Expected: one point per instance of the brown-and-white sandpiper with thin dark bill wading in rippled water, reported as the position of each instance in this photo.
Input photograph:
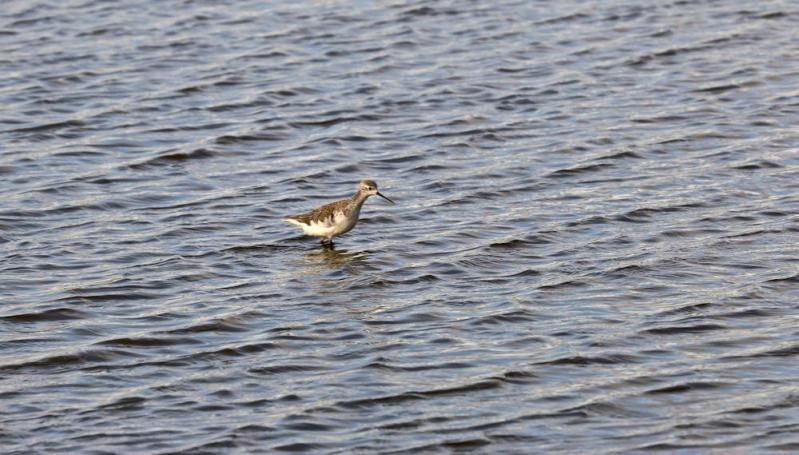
(337, 217)
